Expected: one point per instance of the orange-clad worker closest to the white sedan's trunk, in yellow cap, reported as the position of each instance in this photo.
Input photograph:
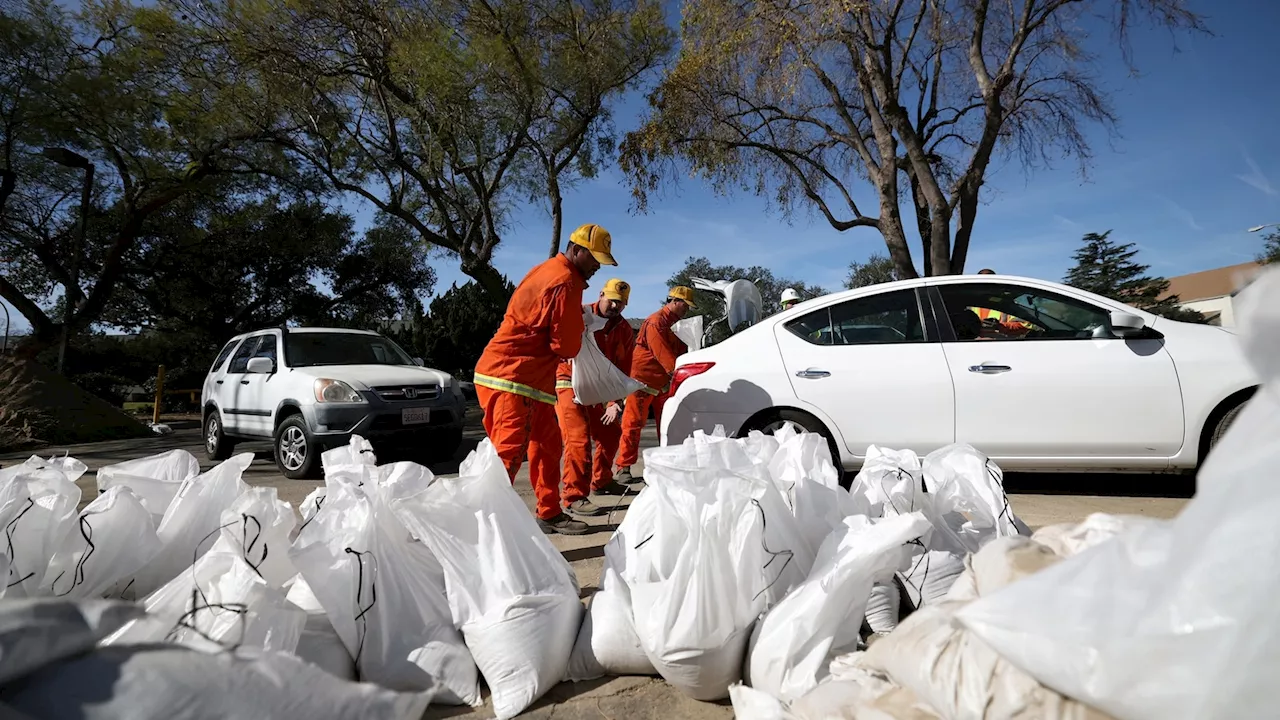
(652, 363)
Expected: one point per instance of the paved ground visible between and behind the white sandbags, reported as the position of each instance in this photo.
(1039, 500)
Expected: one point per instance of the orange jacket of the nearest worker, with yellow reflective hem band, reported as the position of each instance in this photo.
(542, 327)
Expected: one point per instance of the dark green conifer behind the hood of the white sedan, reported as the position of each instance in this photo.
(1107, 268)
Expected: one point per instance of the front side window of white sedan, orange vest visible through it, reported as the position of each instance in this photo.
(1009, 312)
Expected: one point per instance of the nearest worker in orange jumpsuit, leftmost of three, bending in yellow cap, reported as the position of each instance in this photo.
(516, 375)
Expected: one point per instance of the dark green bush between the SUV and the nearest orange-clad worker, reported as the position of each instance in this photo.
(458, 329)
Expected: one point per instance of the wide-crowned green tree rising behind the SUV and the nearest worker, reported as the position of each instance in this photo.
(441, 115)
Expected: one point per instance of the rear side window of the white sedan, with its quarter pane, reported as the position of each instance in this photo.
(877, 320)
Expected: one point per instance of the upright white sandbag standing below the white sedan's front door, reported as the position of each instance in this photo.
(968, 494)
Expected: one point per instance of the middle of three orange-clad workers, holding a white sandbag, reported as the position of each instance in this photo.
(601, 423)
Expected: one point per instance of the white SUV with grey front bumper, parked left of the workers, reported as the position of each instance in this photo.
(312, 389)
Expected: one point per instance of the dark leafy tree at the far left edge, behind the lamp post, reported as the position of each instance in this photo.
(92, 84)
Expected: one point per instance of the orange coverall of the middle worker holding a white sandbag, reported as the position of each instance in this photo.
(582, 425)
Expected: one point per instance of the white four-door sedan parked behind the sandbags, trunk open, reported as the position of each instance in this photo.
(1039, 376)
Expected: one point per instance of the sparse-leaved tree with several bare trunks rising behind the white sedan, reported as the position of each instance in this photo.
(803, 102)
